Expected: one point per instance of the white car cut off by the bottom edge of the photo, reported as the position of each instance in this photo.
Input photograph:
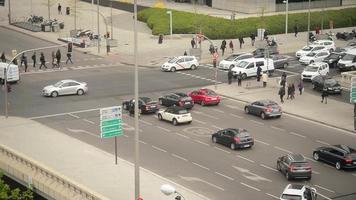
(298, 192)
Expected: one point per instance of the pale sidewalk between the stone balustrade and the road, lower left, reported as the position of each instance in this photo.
(83, 163)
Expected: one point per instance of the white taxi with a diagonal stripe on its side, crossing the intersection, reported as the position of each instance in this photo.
(180, 63)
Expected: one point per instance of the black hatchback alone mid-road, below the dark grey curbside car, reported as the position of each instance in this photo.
(233, 138)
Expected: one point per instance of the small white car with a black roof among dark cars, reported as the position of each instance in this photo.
(175, 114)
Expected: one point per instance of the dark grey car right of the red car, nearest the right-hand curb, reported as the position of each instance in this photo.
(264, 109)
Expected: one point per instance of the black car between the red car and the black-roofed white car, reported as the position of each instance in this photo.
(178, 99)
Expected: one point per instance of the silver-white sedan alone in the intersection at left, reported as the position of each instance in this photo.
(65, 87)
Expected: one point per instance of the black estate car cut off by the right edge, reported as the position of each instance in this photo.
(341, 156)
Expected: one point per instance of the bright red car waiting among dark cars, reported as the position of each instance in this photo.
(205, 97)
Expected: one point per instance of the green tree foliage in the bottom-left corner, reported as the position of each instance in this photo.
(16, 194)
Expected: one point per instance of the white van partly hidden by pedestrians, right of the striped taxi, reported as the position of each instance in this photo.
(248, 67)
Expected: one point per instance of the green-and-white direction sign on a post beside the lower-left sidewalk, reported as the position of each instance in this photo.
(111, 124)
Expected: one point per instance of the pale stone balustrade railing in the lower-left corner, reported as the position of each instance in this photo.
(42, 179)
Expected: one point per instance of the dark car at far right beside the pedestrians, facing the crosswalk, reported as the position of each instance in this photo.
(321, 83)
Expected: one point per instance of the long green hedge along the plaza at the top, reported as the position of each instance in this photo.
(218, 28)
